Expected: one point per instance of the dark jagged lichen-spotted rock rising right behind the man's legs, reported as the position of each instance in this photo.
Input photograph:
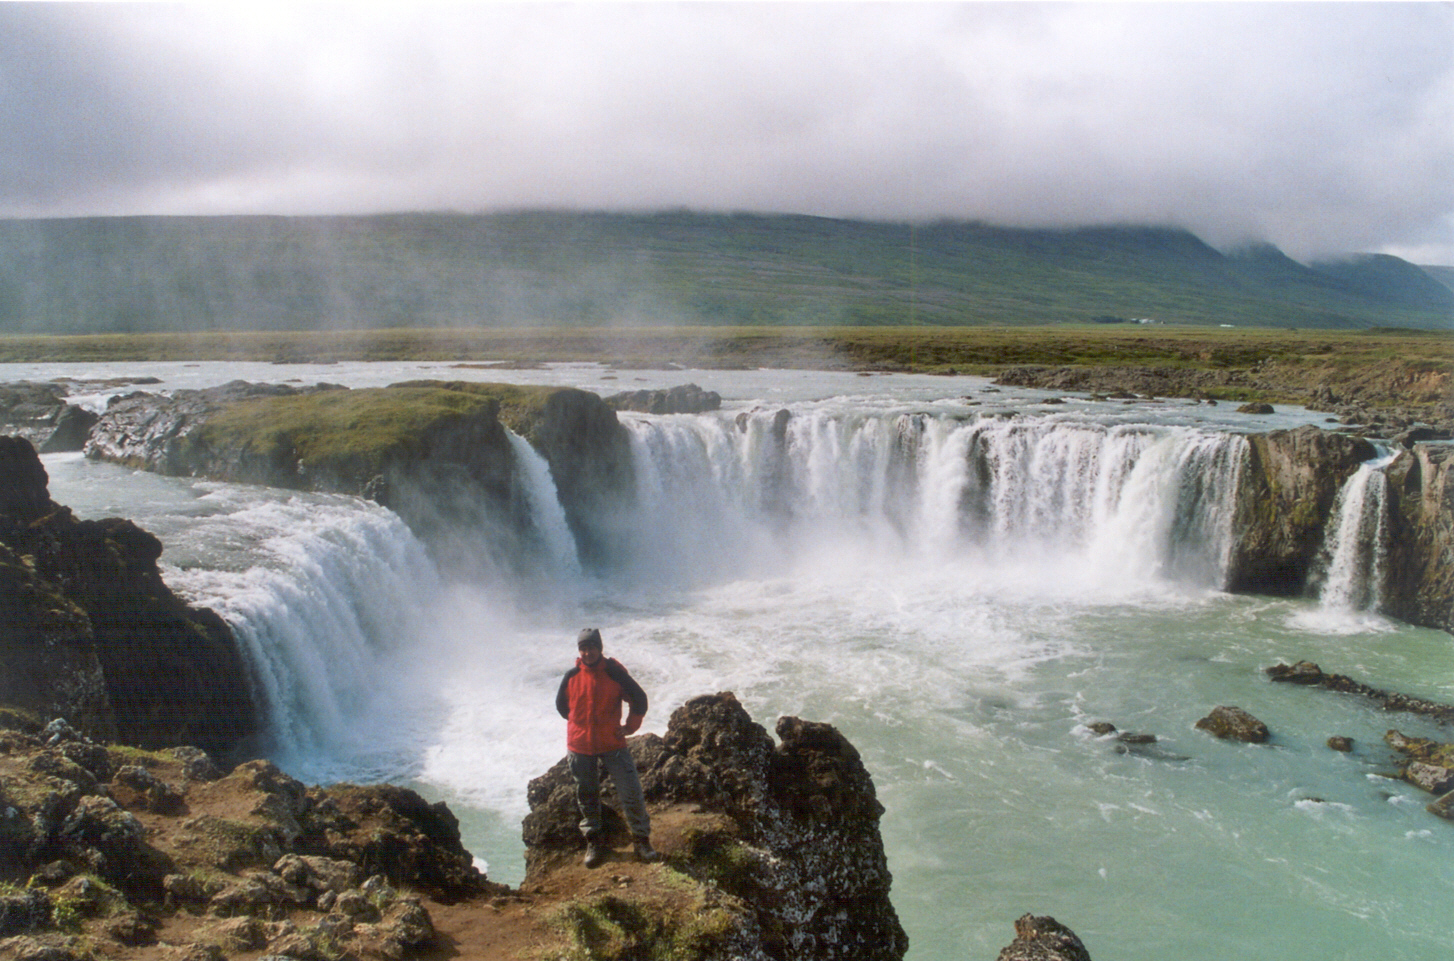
(786, 837)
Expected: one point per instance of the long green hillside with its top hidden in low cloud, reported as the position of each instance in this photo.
(593, 270)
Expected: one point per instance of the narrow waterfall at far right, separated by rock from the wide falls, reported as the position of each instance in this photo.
(1351, 562)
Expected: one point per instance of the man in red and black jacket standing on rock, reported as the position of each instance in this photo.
(590, 700)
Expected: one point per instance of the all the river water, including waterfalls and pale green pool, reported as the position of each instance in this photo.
(959, 578)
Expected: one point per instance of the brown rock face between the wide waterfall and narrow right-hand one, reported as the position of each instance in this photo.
(1285, 501)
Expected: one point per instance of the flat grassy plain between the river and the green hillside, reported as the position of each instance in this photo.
(920, 350)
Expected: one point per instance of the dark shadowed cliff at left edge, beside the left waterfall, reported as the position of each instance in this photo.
(91, 632)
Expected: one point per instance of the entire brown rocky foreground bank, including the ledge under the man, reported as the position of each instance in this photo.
(771, 851)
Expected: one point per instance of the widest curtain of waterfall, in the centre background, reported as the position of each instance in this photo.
(722, 495)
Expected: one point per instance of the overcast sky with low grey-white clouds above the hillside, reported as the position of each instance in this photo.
(1322, 129)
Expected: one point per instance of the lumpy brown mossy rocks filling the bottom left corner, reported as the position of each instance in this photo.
(159, 854)
